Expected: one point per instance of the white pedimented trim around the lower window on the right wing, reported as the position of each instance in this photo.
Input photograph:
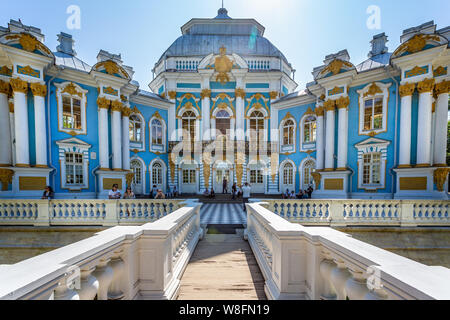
(372, 145)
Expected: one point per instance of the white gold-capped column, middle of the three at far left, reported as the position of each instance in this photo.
(20, 89)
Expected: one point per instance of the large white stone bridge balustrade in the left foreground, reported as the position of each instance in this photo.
(121, 263)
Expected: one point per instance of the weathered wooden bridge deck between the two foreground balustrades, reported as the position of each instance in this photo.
(223, 267)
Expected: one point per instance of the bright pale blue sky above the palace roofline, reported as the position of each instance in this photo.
(304, 30)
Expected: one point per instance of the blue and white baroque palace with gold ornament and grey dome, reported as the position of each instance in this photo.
(377, 129)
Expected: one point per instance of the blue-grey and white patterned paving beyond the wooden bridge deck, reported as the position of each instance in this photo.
(223, 214)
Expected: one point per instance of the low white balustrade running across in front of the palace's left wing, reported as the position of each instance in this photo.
(84, 212)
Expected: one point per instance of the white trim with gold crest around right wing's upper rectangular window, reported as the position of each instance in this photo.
(385, 94)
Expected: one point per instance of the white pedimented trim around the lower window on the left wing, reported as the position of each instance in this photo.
(73, 145)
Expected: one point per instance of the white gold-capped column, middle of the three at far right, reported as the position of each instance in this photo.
(425, 89)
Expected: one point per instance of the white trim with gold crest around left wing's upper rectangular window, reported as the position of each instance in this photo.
(59, 99)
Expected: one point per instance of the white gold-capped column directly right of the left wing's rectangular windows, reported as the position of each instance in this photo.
(103, 105)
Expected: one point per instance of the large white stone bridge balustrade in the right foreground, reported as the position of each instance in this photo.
(319, 263)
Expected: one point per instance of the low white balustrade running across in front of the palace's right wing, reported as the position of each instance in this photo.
(407, 213)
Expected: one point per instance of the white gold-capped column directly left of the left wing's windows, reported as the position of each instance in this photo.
(39, 92)
